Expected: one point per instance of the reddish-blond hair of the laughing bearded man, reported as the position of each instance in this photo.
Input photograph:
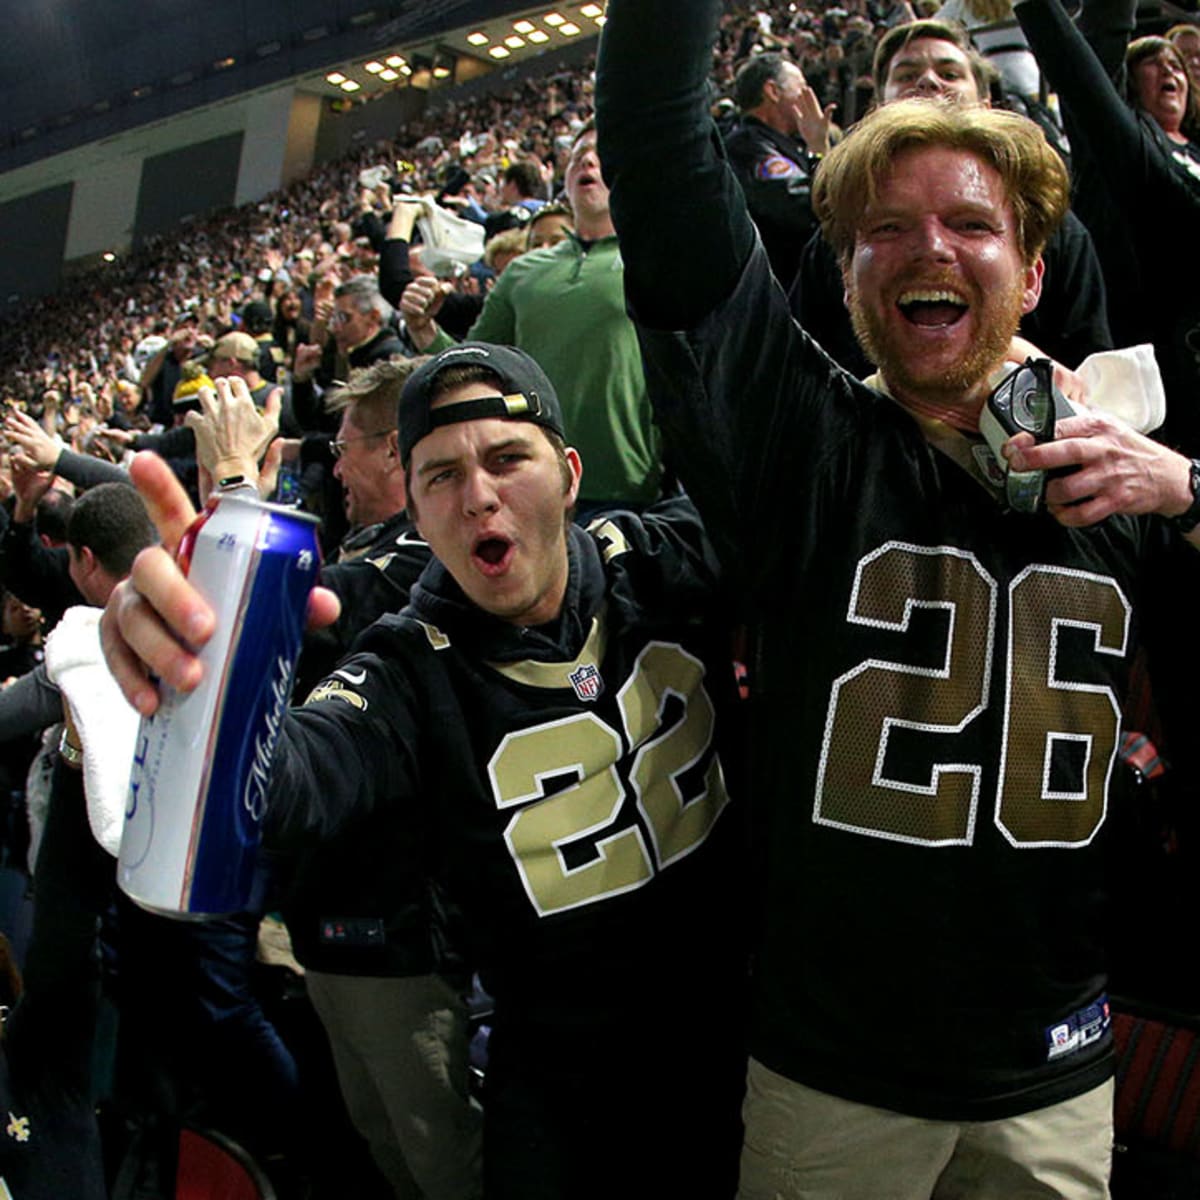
(1036, 182)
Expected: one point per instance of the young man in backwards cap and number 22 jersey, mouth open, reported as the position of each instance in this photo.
(561, 764)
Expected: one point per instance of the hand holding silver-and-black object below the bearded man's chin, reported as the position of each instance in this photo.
(1119, 471)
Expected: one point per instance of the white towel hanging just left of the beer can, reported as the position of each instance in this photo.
(107, 723)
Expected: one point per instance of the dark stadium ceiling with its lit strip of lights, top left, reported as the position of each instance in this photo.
(74, 73)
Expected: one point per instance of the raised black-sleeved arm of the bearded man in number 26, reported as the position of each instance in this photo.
(680, 214)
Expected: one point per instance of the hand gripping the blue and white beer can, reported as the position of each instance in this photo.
(155, 621)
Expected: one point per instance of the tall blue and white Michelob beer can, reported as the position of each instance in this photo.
(199, 783)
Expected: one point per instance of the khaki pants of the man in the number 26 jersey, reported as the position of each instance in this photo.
(808, 1145)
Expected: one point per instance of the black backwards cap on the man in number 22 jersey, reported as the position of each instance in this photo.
(525, 395)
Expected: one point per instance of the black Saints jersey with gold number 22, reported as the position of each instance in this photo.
(567, 782)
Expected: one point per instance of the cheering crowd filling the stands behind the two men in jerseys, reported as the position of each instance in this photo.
(343, 272)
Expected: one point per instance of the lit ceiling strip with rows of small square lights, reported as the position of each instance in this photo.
(460, 55)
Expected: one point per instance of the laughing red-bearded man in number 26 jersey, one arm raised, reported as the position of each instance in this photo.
(939, 677)
